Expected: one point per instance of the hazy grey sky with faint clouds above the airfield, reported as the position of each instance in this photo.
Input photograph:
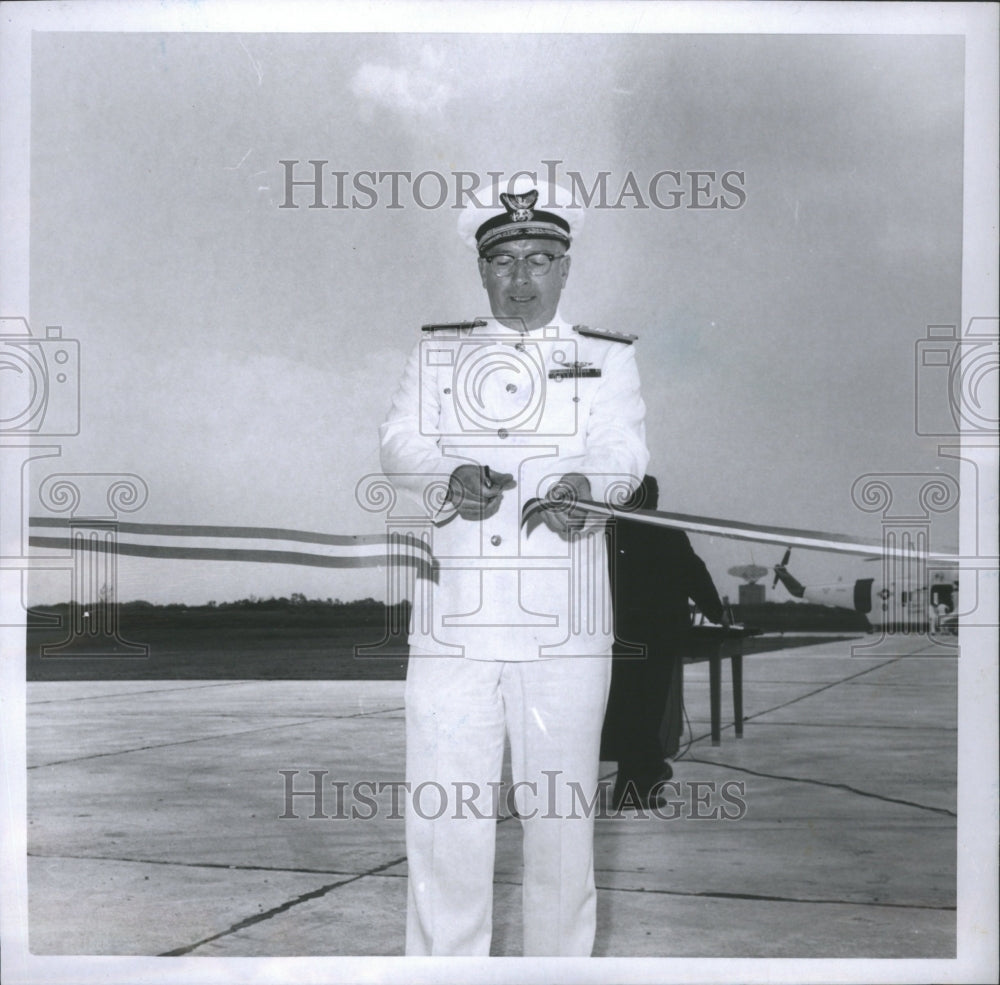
(239, 356)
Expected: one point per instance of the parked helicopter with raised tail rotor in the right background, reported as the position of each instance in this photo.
(899, 605)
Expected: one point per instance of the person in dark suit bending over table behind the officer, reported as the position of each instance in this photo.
(654, 572)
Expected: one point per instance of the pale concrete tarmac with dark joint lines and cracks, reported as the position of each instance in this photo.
(155, 820)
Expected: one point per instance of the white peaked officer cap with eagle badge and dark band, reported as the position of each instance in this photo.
(525, 209)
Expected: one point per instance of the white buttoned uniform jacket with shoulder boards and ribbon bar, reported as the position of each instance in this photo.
(536, 405)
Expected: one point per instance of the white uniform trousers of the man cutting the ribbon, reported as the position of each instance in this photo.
(457, 713)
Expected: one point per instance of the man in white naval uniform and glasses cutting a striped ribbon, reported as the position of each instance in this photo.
(497, 426)
